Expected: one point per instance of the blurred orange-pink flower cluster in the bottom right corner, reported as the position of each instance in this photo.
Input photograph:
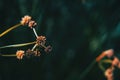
(114, 63)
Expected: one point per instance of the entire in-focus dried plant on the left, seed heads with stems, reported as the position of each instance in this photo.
(39, 43)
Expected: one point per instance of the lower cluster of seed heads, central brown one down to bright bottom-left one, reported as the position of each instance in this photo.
(35, 52)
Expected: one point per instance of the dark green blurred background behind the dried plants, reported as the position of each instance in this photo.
(78, 30)
